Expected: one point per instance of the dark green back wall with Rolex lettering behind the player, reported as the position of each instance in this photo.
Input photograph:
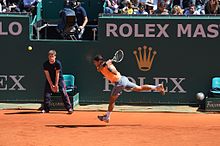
(184, 64)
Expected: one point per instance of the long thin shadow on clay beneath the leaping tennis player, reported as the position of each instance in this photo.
(90, 126)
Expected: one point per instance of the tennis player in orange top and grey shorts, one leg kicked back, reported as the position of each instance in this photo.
(121, 82)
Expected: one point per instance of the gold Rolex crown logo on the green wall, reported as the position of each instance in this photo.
(144, 61)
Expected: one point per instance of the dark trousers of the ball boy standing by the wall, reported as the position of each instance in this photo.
(62, 92)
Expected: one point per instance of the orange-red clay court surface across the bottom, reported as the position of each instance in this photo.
(31, 128)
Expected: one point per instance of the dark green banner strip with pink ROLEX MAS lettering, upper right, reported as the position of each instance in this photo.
(172, 27)
